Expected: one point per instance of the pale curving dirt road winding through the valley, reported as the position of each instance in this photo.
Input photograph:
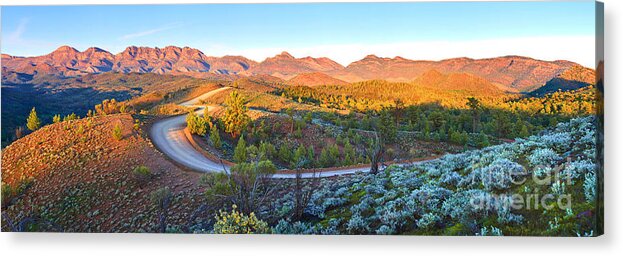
(168, 136)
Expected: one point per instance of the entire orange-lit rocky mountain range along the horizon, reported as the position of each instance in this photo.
(509, 73)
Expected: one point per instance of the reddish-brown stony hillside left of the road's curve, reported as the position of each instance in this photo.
(77, 176)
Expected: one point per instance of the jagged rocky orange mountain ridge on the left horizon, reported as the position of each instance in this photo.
(67, 61)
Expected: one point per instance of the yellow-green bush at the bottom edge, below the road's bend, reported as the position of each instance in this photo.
(235, 222)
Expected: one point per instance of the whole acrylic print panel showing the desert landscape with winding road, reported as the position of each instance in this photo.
(429, 118)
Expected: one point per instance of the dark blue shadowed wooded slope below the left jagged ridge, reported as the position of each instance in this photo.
(52, 95)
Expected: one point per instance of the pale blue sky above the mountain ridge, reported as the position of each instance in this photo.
(344, 32)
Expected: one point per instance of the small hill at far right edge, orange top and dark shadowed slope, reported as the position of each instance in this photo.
(573, 78)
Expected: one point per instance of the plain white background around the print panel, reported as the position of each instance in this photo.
(150, 244)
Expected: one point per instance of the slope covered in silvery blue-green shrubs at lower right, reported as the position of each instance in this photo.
(470, 193)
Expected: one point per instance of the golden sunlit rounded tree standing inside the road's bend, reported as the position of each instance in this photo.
(235, 118)
